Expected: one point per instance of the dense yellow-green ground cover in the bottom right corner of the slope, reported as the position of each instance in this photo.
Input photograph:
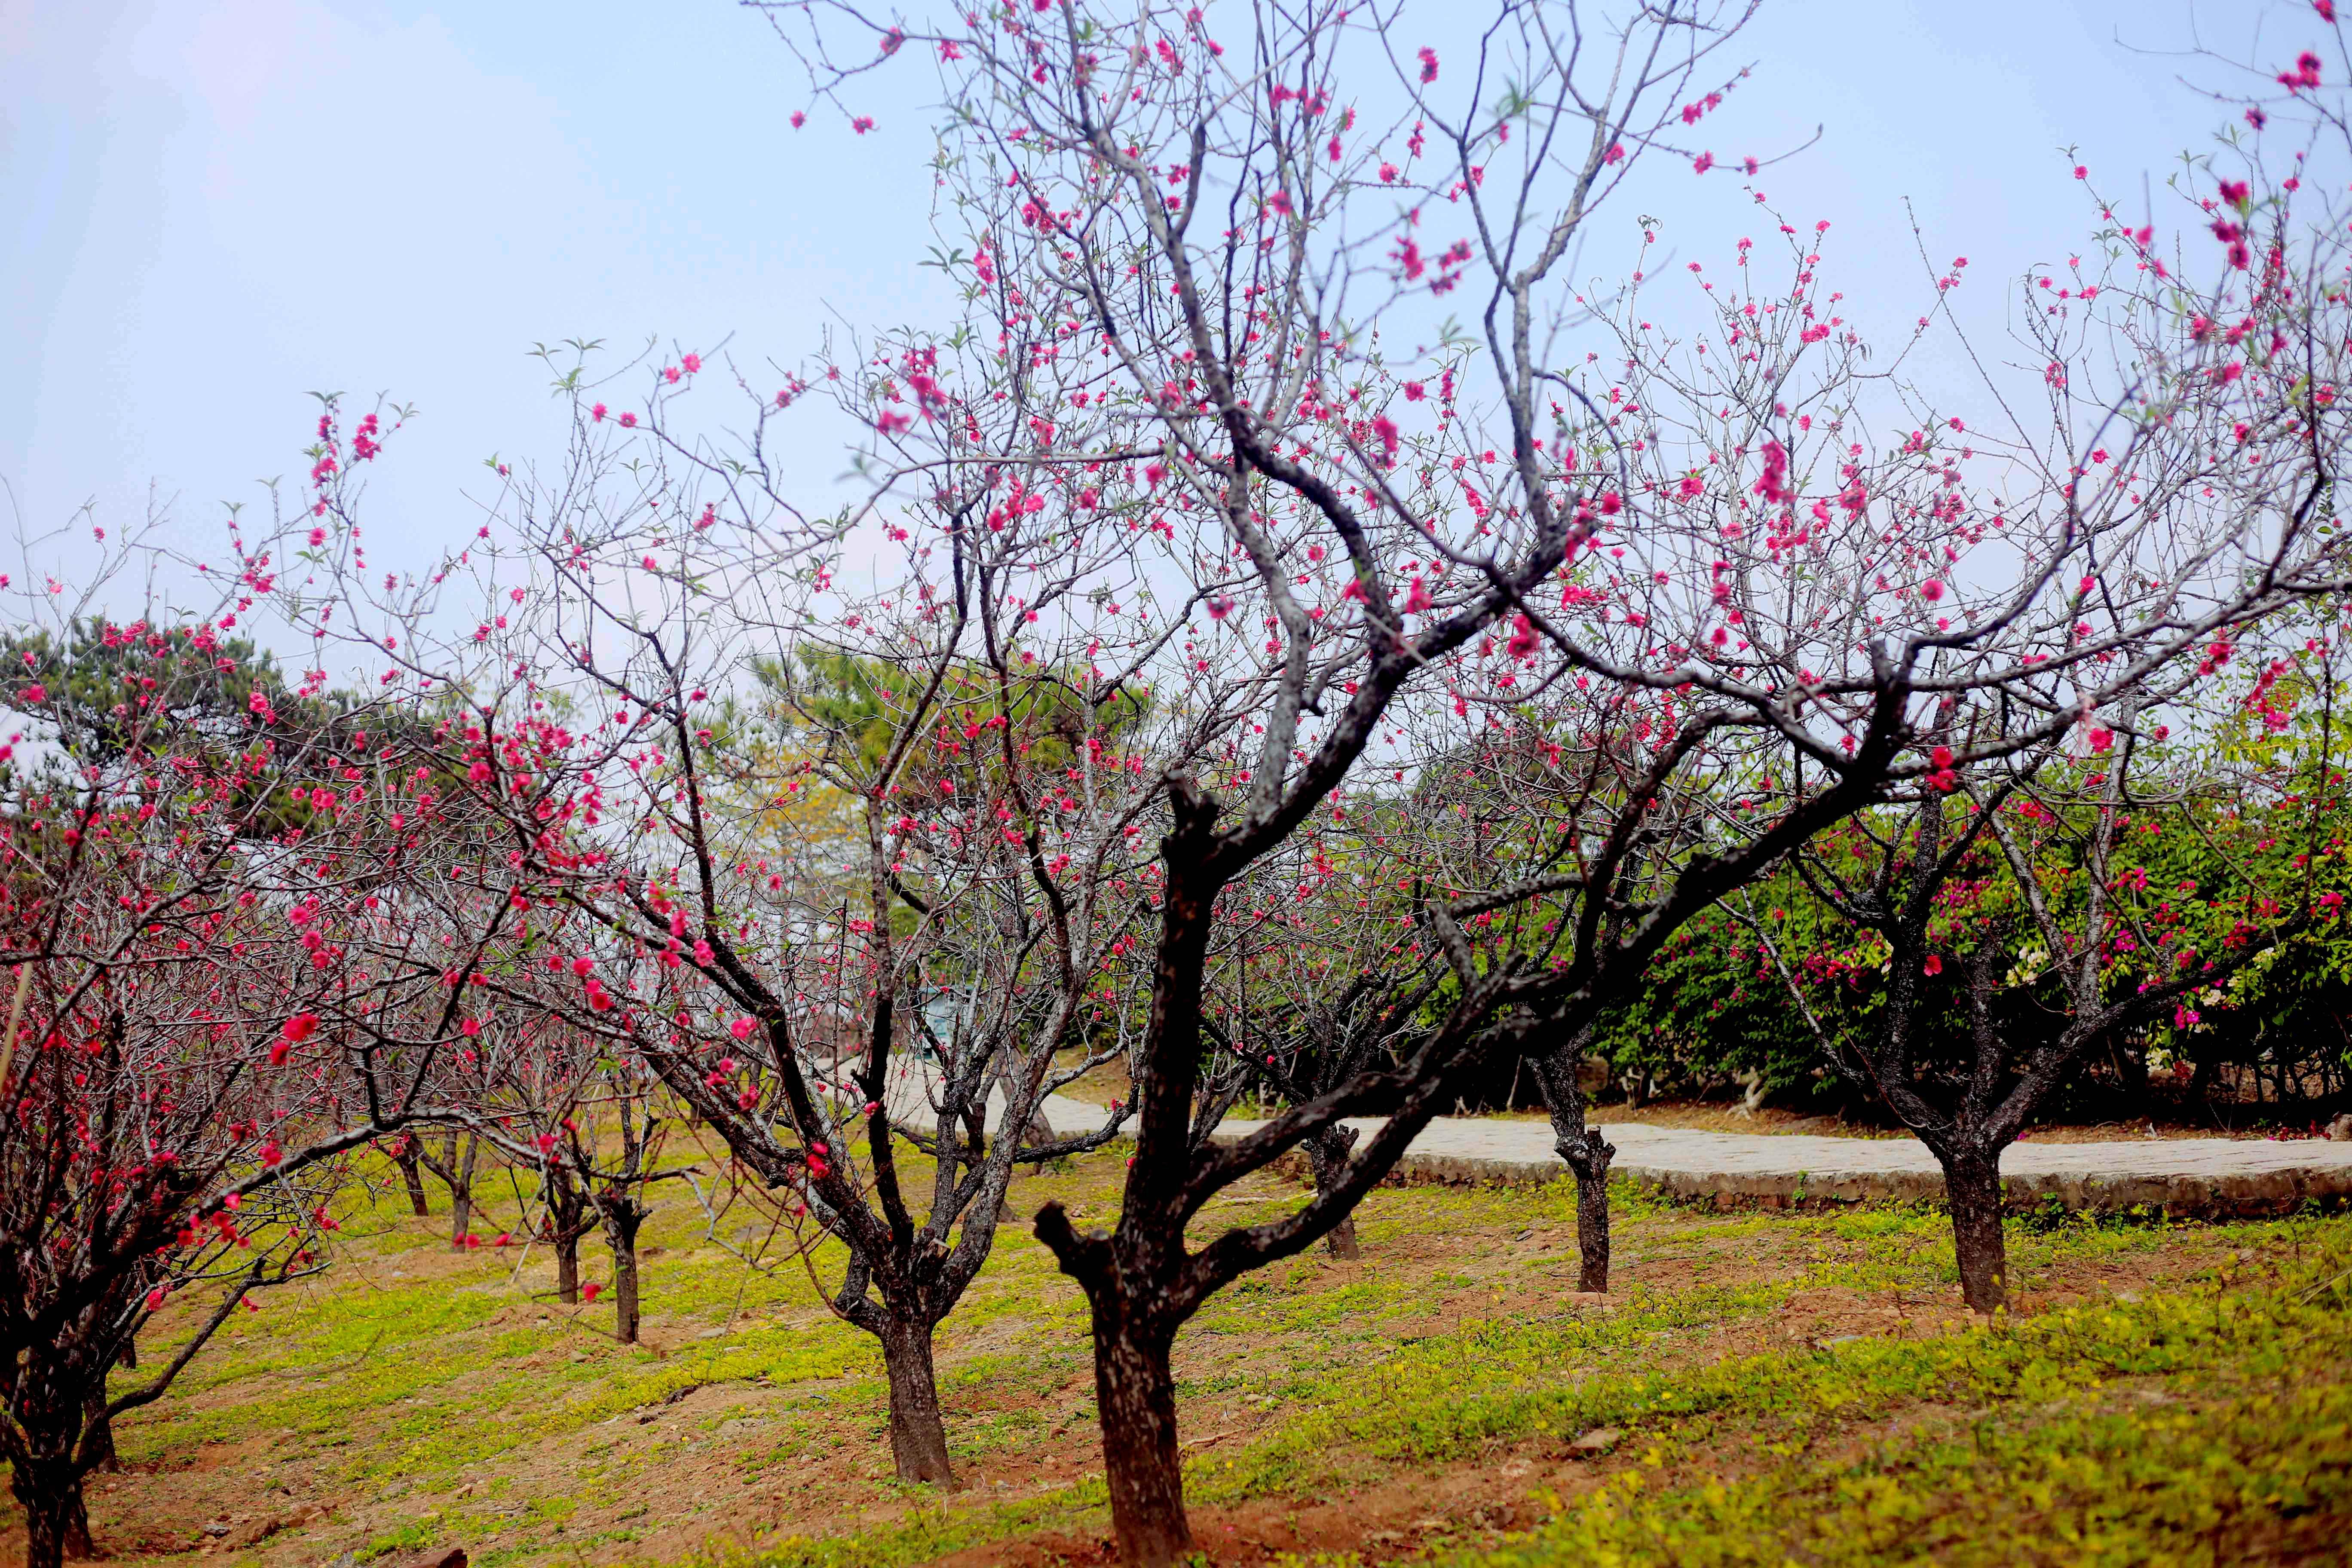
(2207, 1428)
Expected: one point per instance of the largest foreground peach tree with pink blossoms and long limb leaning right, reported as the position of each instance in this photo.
(1735, 582)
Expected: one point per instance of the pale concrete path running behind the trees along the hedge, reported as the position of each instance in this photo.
(2186, 1177)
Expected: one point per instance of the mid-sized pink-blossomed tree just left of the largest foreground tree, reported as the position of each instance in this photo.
(824, 824)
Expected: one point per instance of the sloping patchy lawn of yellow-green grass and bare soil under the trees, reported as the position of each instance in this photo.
(1758, 1388)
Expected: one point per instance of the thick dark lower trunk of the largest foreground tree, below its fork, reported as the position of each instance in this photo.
(1137, 1398)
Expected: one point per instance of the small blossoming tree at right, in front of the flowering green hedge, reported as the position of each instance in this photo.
(2005, 923)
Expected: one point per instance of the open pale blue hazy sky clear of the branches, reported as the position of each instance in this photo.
(220, 206)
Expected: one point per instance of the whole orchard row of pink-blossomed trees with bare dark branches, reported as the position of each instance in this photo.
(1236, 669)
